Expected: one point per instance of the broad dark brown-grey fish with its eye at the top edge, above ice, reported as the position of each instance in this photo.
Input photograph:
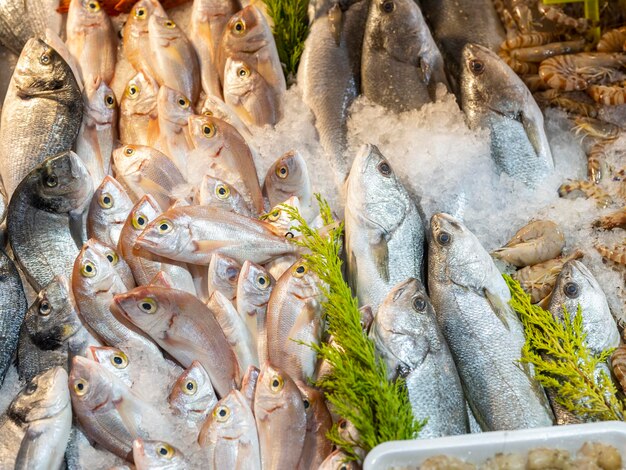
(401, 64)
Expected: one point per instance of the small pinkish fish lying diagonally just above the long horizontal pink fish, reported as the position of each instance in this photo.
(145, 170)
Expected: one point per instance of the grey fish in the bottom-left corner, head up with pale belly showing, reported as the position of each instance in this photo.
(37, 426)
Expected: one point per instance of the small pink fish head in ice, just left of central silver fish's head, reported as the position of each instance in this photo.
(287, 176)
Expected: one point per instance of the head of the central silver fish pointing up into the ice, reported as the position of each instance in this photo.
(375, 195)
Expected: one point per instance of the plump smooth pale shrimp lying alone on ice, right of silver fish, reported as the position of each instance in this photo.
(534, 243)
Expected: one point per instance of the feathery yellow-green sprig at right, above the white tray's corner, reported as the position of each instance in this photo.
(563, 362)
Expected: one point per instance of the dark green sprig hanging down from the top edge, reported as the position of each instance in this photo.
(290, 29)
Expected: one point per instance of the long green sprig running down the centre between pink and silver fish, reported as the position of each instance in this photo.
(357, 387)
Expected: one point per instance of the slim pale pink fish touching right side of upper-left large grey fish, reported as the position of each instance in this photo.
(98, 131)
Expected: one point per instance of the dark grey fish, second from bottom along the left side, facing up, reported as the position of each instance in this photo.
(51, 332)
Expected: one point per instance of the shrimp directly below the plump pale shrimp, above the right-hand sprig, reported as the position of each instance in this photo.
(538, 280)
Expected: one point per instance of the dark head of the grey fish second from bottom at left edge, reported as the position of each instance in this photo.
(52, 318)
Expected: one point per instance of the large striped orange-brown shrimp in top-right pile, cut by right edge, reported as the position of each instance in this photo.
(576, 71)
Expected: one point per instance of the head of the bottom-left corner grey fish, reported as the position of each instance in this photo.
(45, 396)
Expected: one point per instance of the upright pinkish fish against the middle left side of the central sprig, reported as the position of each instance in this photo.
(294, 315)
